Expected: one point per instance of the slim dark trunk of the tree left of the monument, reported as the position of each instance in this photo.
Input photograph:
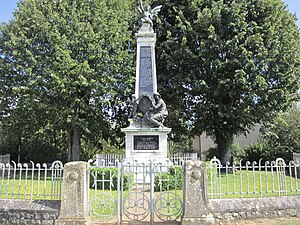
(74, 145)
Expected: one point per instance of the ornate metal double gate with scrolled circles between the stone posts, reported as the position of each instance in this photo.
(132, 191)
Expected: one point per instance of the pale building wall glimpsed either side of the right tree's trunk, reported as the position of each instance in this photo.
(204, 142)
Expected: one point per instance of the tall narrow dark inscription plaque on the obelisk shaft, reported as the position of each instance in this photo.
(146, 77)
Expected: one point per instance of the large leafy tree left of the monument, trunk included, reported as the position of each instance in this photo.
(65, 66)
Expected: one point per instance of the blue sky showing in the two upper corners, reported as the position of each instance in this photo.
(8, 6)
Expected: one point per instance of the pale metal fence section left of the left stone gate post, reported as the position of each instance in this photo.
(31, 181)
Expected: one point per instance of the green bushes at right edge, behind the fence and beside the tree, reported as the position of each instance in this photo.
(280, 138)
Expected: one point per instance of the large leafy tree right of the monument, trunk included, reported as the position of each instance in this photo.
(227, 64)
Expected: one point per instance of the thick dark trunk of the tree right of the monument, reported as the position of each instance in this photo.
(224, 148)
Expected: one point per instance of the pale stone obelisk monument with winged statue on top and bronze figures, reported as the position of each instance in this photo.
(146, 137)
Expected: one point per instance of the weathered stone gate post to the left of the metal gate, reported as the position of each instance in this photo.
(74, 195)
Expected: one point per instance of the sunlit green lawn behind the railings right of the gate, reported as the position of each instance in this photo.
(251, 184)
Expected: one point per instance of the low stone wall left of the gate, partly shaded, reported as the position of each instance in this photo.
(28, 212)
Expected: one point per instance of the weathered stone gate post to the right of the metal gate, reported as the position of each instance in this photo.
(195, 196)
